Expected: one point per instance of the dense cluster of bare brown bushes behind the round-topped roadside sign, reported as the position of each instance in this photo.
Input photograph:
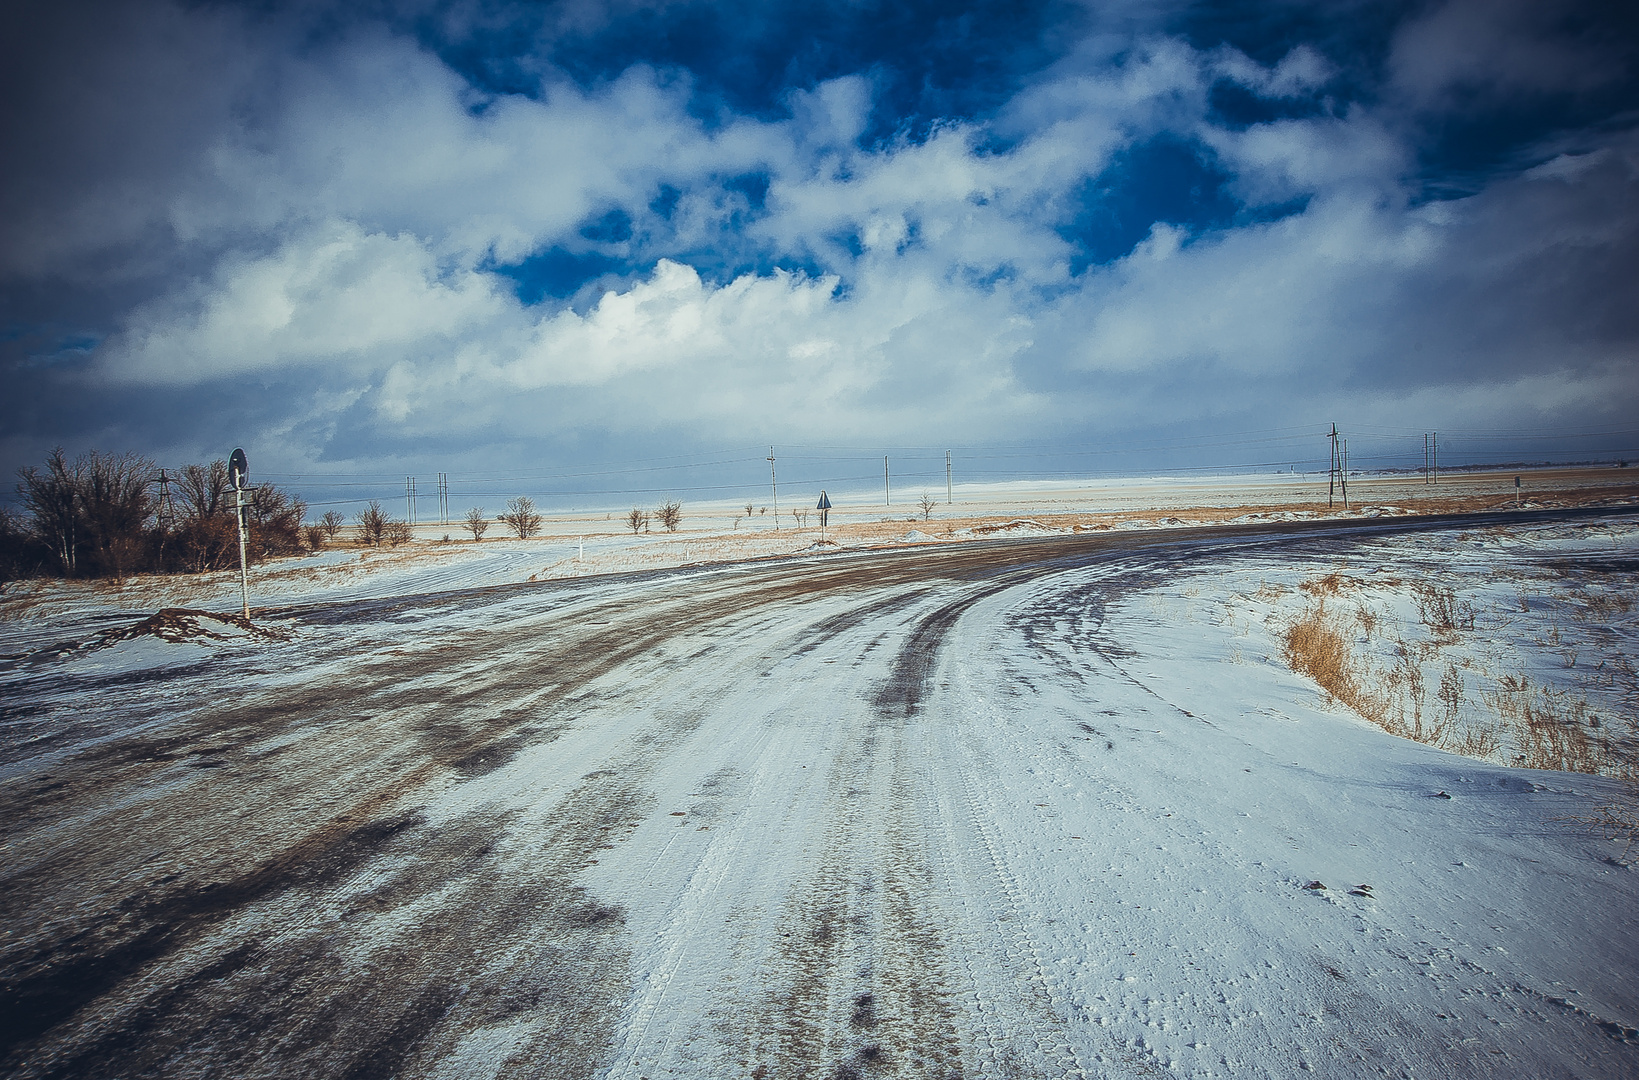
(102, 515)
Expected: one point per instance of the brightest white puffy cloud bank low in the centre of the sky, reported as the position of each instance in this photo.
(773, 353)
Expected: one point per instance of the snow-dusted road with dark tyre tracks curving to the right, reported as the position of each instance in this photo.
(781, 820)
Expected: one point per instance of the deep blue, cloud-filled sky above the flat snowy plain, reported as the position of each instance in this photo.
(619, 250)
